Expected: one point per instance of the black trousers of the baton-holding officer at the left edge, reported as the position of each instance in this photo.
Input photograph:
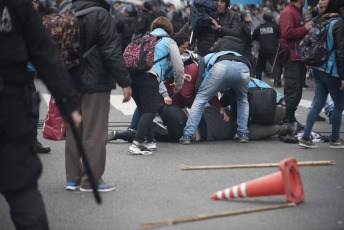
(19, 165)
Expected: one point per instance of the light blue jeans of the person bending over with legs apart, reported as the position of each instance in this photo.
(224, 74)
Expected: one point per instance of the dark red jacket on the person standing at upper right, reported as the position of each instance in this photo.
(292, 30)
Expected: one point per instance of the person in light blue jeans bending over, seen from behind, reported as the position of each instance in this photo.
(219, 71)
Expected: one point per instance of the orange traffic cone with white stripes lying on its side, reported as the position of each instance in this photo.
(287, 181)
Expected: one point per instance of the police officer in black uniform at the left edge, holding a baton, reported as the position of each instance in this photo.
(23, 38)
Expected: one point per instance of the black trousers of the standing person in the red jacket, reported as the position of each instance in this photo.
(294, 78)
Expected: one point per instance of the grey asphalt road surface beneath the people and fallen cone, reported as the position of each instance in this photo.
(153, 188)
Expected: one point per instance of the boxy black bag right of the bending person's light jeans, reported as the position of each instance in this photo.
(262, 103)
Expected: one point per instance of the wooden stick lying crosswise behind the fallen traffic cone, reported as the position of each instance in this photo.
(301, 163)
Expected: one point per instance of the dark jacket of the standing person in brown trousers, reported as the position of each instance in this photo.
(104, 66)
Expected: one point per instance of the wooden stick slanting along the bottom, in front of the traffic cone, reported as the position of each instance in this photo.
(215, 215)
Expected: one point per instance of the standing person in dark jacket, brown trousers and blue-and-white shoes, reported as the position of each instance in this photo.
(94, 79)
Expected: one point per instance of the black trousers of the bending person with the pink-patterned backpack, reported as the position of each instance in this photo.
(145, 89)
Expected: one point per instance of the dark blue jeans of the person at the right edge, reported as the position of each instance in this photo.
(325, 84)
